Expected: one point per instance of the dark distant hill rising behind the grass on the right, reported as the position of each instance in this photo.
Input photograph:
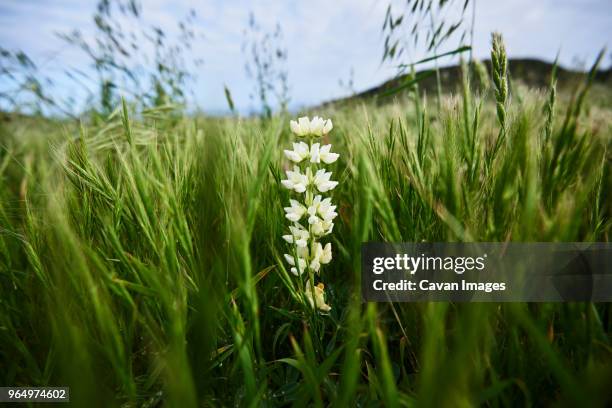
(532, 72)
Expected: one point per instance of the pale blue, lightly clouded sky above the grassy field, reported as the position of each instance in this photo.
(325, 40)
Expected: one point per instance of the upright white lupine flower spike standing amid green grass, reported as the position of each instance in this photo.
(311, 215)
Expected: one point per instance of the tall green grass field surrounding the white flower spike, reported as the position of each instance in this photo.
(141, 256)
